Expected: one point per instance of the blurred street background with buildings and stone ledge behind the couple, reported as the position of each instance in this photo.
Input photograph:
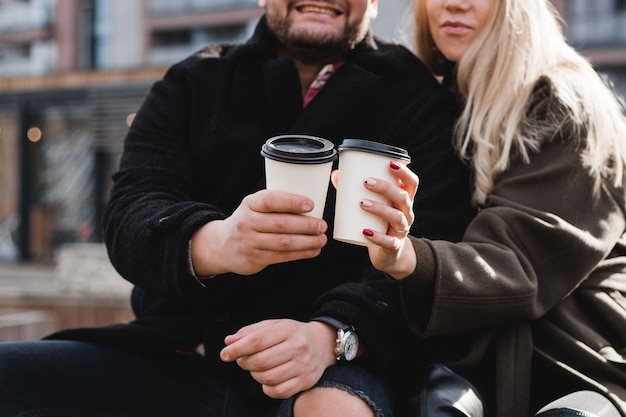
(72, 75)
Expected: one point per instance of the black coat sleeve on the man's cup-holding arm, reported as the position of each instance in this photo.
(151, 213)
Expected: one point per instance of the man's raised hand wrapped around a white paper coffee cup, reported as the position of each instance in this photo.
(267, 228)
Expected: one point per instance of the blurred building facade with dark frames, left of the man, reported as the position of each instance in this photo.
(72, 74)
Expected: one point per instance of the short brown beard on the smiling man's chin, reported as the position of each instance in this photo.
(313, 48)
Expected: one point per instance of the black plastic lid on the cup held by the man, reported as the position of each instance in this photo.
(299, 149)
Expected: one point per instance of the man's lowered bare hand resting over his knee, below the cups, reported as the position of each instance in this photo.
(285, 356)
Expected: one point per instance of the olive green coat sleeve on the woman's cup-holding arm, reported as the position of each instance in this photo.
(541, 233)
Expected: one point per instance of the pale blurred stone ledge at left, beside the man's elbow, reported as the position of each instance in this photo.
(81, 289)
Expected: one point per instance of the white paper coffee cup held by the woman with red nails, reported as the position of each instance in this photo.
(360, 159)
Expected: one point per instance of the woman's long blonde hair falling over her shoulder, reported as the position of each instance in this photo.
(521, 44)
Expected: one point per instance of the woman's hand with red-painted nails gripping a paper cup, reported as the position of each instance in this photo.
(393, 253)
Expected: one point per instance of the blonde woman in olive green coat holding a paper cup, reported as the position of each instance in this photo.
(538, 285)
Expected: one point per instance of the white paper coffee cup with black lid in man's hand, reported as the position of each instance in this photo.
(300, 164)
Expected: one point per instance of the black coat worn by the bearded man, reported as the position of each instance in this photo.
(193, 153)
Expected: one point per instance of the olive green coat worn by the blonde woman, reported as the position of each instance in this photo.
(538, 283)
